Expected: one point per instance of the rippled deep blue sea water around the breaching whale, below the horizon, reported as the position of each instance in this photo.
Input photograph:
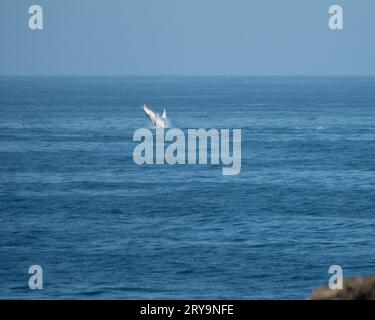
(73, 201)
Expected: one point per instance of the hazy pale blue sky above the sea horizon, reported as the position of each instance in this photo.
(137, 37)
